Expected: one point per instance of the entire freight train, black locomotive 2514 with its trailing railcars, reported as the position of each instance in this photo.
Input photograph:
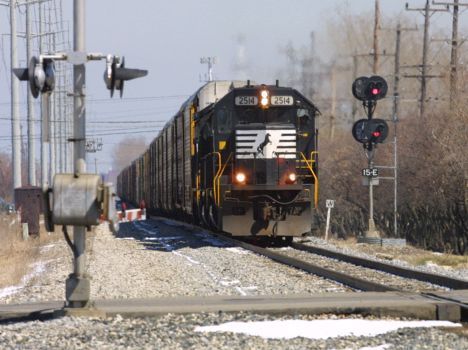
(237, 158)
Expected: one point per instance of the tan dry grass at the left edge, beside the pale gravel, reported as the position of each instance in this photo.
(17, 255)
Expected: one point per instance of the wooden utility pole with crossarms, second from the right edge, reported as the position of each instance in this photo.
(427, 12)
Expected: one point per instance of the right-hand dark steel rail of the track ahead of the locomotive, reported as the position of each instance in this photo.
(440, 280)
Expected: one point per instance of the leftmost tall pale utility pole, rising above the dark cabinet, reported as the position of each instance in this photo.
(15, 117)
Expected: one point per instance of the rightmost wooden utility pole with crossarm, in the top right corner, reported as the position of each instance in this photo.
(454, 53)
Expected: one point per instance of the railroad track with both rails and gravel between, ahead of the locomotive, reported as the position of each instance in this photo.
(355, 272)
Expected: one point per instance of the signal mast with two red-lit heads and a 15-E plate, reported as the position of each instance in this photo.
(370, 132)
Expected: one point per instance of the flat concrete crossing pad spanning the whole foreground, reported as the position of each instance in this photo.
(396, 304)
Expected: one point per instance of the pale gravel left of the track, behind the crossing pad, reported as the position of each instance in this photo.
(160, 258)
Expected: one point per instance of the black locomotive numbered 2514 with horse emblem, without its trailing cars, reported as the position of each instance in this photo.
(256, 162)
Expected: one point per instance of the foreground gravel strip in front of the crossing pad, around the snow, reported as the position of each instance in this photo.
(178, 332)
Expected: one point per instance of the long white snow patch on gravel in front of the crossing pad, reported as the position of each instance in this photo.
(321, 329)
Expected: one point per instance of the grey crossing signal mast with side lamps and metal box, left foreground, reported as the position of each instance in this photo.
(79, 199)
